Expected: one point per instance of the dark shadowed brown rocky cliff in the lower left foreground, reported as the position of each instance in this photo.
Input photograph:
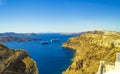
(16, 62)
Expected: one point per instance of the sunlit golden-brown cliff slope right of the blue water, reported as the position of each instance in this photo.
(92, 47)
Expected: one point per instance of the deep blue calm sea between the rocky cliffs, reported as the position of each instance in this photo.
(51, 58)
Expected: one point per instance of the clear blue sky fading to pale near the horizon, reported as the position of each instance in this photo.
(59, 15)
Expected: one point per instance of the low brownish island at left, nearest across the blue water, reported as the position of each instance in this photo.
(17, 39)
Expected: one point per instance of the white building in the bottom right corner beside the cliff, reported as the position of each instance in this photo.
(110, 68)
